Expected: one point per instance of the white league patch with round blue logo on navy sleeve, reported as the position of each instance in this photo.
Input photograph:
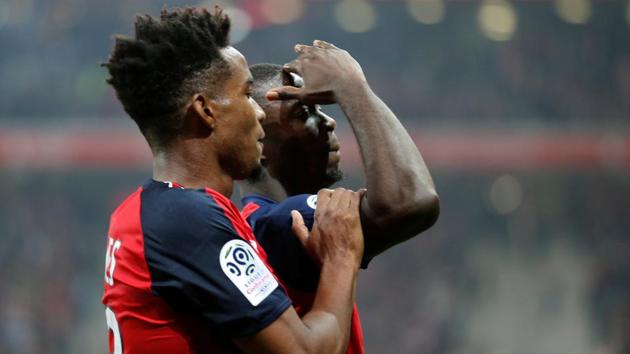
(247, 271)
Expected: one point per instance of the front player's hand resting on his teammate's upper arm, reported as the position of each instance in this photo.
(336, 234)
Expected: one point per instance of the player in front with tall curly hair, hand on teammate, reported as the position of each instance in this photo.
(184, 273)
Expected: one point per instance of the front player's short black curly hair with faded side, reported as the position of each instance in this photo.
(171, 58)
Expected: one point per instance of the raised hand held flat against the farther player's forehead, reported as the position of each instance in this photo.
(326, 71)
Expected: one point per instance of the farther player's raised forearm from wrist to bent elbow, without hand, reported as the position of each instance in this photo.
(401, 193)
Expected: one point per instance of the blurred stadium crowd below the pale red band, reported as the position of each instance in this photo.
(557, 265)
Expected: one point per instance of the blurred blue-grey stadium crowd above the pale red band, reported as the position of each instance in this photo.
(549, 72)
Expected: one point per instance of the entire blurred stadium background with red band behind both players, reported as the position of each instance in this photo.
(520, 108)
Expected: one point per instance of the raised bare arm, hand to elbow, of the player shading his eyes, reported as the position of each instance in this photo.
(401, 200)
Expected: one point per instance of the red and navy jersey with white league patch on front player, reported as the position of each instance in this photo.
(184, 274)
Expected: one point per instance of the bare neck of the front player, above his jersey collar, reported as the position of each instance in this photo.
(190, 167)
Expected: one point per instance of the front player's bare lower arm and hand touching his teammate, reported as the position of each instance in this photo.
(337, 243)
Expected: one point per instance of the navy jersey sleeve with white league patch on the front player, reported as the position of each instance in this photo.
(200, 265)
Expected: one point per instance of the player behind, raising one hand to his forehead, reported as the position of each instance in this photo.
(301, 156)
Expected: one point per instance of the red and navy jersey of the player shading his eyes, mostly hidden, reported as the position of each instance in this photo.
(271, 222)
